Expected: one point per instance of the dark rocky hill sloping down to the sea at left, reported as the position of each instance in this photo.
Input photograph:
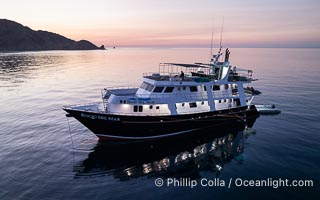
(16, 37)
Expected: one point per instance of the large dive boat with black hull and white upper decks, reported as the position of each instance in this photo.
(179, 99)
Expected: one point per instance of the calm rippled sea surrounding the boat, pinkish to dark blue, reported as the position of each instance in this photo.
(40, 161)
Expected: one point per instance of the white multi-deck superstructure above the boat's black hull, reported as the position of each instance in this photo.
(179, 89)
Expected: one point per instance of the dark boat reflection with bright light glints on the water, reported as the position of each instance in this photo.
(179, 157)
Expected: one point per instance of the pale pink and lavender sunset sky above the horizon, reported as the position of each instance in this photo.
(247, 23)
